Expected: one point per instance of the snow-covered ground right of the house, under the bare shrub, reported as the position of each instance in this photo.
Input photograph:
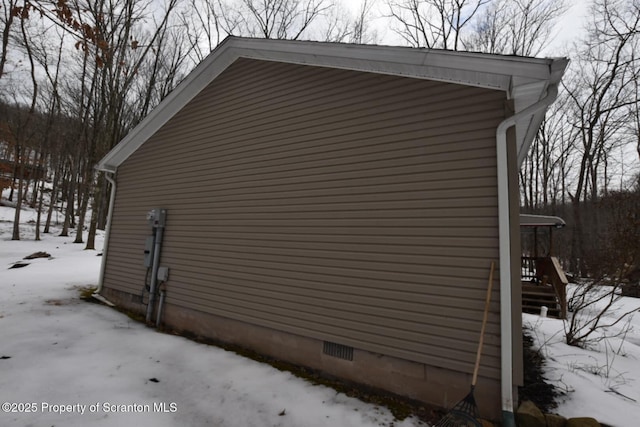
(602, 381)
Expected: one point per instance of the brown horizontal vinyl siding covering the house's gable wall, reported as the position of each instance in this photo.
(343, 206)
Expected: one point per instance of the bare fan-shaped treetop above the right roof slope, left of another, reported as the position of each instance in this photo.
(433, 23)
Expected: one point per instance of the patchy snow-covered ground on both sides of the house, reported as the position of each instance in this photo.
(66, 362)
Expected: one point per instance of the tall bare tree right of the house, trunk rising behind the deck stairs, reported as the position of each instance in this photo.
(601, 89)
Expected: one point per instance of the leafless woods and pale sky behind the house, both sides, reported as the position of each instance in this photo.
(76, 76)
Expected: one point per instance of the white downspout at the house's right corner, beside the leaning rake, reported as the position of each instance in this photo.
(508, 418)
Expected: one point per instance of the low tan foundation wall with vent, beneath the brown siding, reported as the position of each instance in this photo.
(433, 385)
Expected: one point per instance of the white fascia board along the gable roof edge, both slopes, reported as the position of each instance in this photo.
(495, 72)
